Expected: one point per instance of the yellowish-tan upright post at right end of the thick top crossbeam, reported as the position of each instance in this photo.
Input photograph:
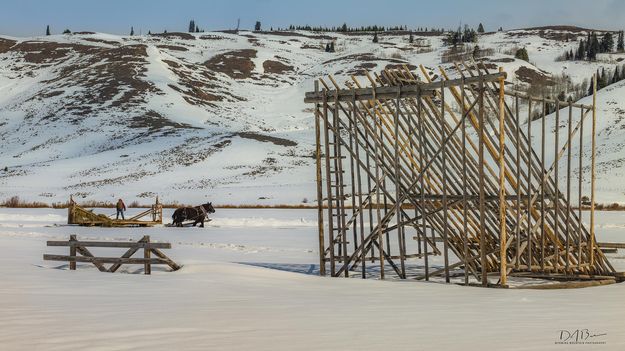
(502, 190)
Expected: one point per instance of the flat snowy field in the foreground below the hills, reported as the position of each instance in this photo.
(249, 283)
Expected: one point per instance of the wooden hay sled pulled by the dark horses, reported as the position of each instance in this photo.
(81, 216)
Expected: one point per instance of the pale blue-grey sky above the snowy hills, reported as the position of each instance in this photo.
(30, 17)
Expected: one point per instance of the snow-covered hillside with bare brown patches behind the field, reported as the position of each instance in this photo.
(219, 116)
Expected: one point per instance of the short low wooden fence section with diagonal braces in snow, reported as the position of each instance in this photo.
(78, 252)
